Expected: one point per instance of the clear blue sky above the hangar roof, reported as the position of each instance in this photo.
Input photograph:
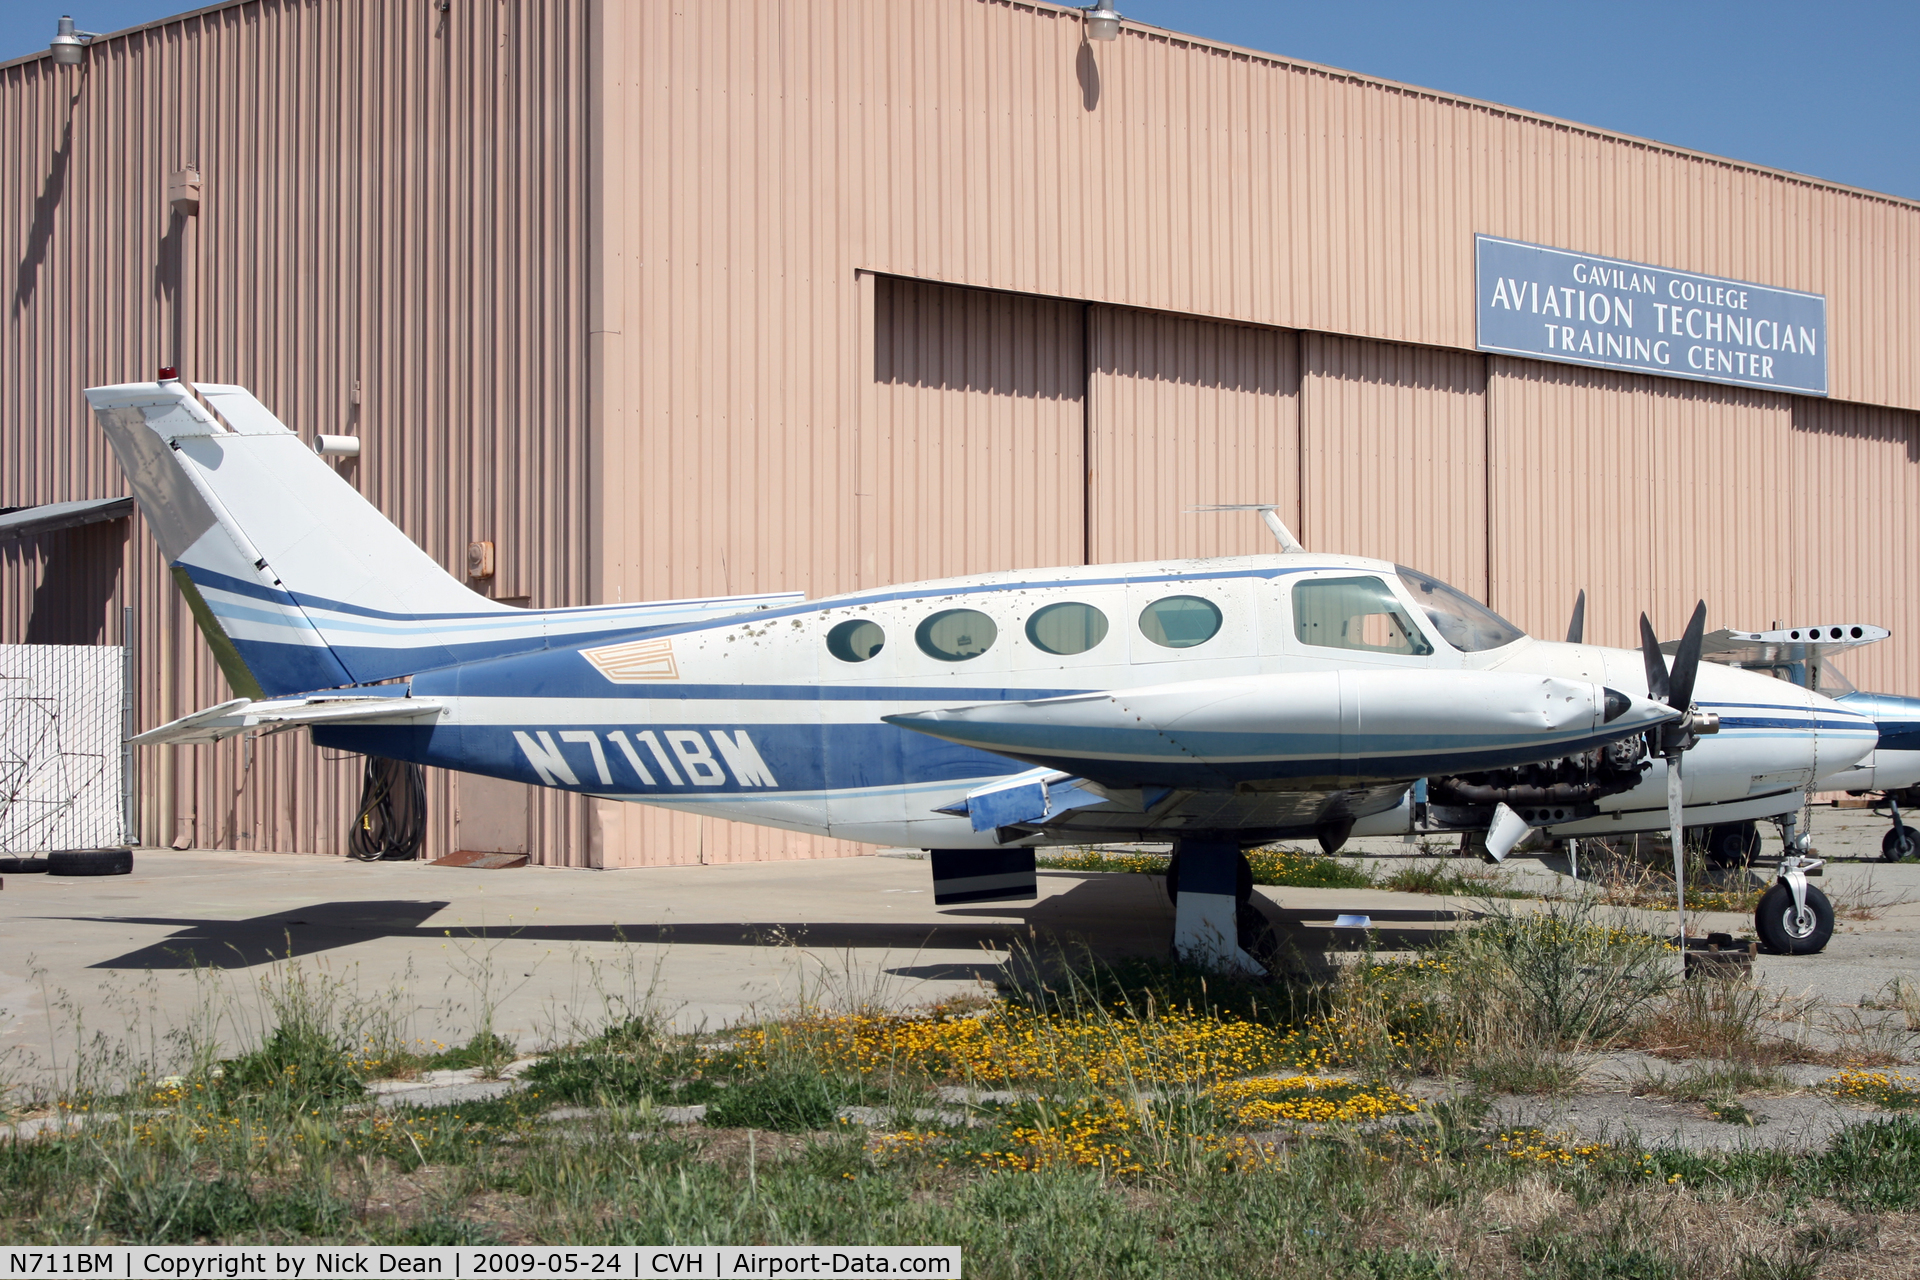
(1829, 89)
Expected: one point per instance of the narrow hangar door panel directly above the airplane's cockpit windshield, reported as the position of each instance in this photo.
(1395, 456)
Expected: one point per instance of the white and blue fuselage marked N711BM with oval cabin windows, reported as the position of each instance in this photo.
(775, 717)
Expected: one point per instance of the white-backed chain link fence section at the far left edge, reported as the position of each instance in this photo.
(66, 774)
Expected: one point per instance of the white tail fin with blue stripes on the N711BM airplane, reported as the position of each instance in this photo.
(297, 581)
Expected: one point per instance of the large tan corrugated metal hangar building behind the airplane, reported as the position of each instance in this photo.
(658, 300)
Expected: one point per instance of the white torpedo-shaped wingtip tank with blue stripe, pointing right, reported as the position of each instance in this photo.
(1299, 730)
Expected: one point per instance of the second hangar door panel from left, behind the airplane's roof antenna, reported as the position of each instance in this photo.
(1188, 414)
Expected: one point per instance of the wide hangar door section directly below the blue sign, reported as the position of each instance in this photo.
(1656, 492)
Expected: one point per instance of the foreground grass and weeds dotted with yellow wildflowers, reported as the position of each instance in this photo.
(1141, 1120)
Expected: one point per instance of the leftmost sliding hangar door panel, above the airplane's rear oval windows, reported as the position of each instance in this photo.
(974, 448)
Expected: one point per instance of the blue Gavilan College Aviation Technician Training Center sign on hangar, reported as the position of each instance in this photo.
(1585, 310)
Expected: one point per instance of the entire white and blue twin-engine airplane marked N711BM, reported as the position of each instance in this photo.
(1214, 705)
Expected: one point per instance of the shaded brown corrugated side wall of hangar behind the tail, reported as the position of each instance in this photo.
(391, 245)
